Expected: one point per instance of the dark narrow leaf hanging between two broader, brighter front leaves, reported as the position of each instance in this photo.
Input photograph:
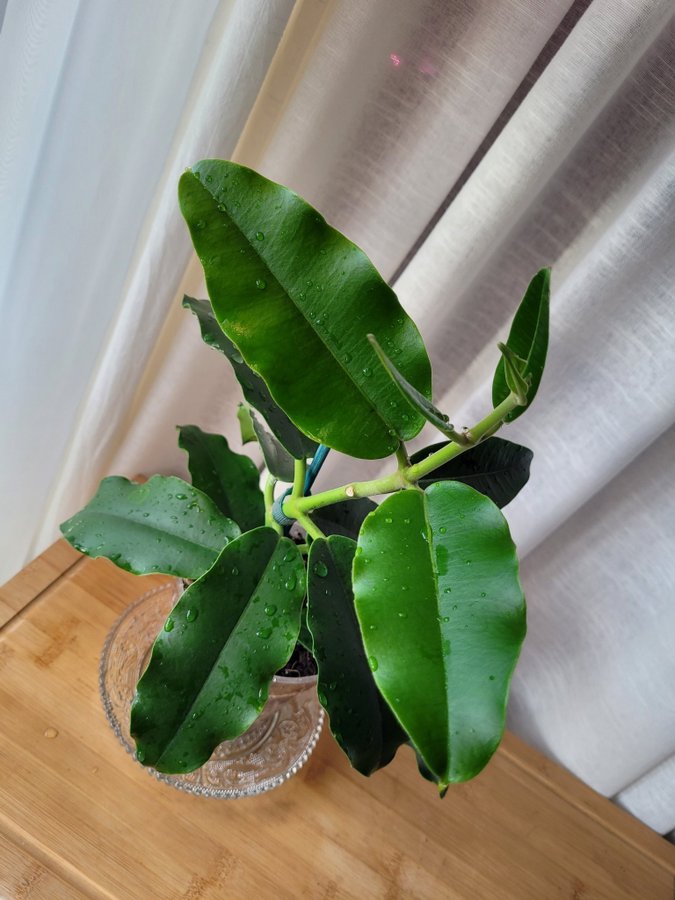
(360, 720)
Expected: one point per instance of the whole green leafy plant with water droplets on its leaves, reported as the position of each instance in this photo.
(411, 607)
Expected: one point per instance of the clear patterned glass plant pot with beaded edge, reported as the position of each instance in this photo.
(273, 749)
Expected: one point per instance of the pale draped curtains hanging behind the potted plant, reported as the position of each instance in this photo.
(463, 145)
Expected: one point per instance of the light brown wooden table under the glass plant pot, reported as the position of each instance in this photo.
(80, 818)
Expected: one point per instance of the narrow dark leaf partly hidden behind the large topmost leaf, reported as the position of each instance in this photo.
(254, 388)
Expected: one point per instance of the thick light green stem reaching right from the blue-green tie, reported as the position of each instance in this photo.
(297, 506)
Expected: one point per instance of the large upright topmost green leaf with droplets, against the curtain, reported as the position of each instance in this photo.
(298, 299)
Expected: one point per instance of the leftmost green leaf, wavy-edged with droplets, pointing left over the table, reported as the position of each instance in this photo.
(164, 525)
